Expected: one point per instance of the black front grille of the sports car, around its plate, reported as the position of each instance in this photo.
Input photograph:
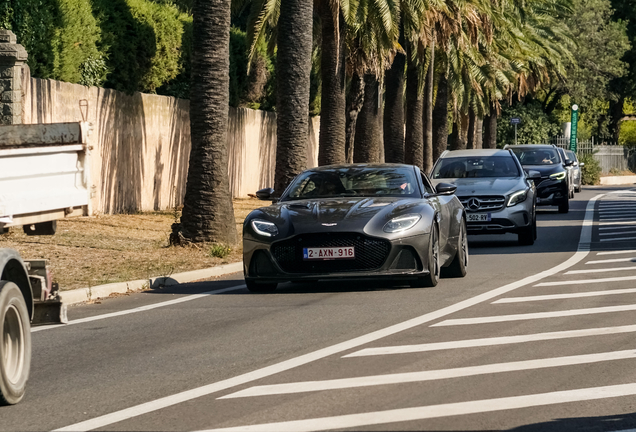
(370, 253)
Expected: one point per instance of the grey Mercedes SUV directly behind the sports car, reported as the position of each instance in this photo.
(497, 194)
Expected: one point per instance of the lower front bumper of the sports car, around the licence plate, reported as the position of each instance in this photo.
(282, 261)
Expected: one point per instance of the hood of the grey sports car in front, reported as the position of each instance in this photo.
(334, 214)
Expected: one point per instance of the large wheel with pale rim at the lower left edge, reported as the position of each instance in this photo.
(15, 344)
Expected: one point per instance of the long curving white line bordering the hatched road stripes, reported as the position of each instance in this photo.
(157, 404)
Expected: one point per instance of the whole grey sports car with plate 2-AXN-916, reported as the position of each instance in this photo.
(359, 221)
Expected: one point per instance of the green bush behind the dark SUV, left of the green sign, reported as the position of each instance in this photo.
(536, 127)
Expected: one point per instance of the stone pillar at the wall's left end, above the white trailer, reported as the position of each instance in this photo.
(12, 59)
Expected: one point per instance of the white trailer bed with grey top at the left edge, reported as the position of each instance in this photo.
(44, 175)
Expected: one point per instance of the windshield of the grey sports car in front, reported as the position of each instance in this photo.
(353, 181)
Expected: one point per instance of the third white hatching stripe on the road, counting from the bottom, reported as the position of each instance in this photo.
(500, 340)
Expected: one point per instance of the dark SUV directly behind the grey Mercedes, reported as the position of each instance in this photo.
(554, 187)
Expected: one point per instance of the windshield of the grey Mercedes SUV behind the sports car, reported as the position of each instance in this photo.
(470, 167)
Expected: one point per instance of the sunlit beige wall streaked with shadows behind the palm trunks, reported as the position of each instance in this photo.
(141, 143)
